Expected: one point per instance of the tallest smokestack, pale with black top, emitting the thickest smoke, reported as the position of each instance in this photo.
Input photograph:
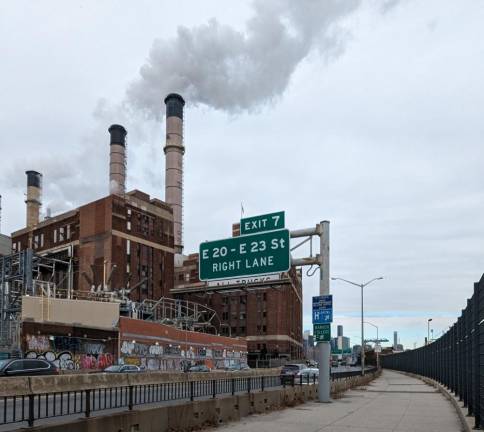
(174, 151)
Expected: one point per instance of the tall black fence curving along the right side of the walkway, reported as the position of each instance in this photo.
(455, 360)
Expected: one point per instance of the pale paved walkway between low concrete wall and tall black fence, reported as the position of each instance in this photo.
(392, 403)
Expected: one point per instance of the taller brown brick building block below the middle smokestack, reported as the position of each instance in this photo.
(113, 243)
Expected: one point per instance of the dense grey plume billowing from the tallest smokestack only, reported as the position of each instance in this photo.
(235, 71)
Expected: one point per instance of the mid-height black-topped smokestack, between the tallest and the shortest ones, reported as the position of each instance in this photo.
(117, 160)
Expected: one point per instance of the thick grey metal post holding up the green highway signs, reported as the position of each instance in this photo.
(324, 348)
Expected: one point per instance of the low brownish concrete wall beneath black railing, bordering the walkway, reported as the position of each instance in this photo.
(198, 414)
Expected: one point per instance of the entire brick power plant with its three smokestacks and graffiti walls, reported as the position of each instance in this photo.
(108, 282)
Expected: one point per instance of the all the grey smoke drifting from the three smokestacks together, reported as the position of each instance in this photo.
(212, 64)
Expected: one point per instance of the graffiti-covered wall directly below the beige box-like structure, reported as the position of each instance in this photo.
(81, 355)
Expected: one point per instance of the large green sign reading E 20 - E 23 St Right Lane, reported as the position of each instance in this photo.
(248, 255)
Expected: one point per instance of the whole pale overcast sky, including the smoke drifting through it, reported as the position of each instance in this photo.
(368, 115)
